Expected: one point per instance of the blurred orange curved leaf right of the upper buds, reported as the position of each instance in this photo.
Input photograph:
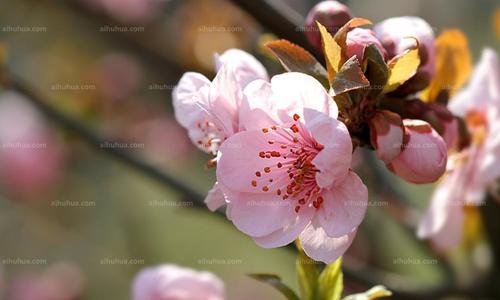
(453, 65)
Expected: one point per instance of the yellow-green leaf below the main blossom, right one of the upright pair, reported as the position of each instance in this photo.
(331, 282)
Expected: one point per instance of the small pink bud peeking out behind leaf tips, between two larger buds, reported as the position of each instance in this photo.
(358, 39)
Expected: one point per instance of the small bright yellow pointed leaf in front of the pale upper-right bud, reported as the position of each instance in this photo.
(401, 68)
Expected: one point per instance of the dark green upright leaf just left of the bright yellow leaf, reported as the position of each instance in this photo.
(375, 69)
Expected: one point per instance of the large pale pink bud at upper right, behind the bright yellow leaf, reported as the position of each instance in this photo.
(394, 34)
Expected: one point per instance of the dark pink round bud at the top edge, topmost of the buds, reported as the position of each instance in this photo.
(331, 14)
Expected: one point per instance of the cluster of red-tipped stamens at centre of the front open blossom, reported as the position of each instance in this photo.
(292, 175)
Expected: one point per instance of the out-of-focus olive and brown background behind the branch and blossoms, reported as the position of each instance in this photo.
(77, 224)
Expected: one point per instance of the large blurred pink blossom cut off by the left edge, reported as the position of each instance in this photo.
(31, 157)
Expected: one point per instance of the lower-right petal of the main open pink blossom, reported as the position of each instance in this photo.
(344, 206)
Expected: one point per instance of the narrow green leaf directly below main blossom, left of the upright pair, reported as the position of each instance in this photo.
(307, 273)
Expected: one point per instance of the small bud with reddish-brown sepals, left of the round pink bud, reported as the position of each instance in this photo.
(386, 134)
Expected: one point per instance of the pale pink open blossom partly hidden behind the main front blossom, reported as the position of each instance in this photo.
(210, 110)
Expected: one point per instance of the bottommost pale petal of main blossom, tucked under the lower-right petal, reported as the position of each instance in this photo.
(318, 246)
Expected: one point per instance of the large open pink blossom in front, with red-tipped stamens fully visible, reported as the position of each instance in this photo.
(288, 174)
